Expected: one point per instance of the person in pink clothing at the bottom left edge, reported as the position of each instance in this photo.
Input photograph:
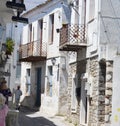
(3, 110)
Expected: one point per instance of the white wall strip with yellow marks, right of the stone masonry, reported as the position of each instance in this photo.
(116, 93)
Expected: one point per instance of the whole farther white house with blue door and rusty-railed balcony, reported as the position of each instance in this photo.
(44, 68)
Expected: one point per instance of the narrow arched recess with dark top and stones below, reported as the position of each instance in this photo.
(101, 92)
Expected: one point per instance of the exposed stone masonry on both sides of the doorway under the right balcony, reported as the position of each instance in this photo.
(100, 77)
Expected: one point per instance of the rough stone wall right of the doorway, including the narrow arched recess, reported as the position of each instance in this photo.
(101, 93)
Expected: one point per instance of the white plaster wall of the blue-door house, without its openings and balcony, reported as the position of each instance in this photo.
(49, 104)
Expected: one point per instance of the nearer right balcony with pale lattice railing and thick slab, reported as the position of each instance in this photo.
(72, 37)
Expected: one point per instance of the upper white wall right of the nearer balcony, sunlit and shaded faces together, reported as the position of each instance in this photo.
(103, 31)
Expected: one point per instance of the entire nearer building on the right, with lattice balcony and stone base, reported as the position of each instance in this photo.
(95, 71)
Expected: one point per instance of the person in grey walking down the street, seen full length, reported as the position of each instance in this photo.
(18, 94)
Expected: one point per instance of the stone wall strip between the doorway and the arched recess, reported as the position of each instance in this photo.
(93, 71)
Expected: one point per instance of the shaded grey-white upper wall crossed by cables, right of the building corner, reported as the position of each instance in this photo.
(110, 27)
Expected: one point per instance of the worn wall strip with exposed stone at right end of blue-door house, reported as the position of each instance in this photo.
(62, 86)
